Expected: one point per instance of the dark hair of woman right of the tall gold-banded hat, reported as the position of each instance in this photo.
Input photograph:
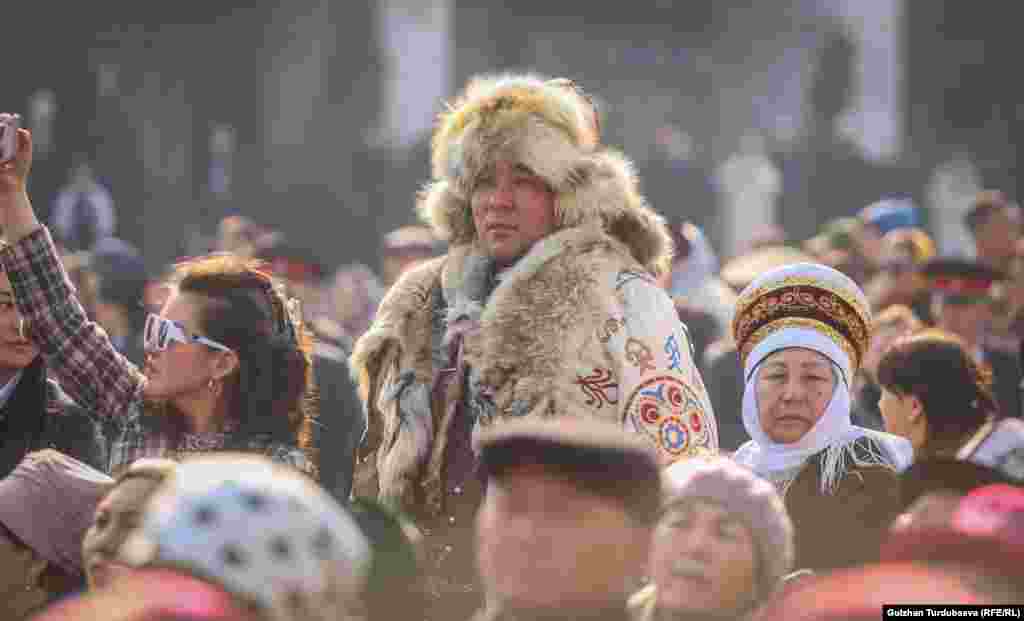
(956, 392)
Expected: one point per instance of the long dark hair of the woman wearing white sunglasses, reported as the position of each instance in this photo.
(273, 392)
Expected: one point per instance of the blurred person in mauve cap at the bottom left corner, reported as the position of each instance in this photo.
(46, 508)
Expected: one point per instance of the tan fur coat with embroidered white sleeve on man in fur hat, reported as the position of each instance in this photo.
(576, 327)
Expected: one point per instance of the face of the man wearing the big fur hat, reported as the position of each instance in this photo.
(513, 210)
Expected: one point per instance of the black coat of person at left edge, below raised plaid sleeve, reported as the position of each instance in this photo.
(39, 416)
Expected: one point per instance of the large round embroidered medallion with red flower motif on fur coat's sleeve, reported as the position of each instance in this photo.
(668, 411)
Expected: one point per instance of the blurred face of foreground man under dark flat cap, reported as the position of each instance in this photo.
(543, 542)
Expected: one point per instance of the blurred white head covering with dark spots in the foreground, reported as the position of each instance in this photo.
(263, 532)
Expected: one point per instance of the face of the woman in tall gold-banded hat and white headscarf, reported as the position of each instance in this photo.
(794, 388)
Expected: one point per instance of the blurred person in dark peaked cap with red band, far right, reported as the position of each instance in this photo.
(963, 299)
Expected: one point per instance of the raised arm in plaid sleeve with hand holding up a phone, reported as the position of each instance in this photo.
(76, 349)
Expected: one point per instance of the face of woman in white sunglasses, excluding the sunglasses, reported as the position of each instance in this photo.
(182, 369)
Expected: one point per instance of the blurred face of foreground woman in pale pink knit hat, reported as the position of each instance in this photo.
(703, 559)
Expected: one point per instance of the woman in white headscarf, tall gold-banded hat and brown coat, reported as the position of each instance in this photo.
(802, 332)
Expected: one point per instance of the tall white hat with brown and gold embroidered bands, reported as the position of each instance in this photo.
(803, 306)
